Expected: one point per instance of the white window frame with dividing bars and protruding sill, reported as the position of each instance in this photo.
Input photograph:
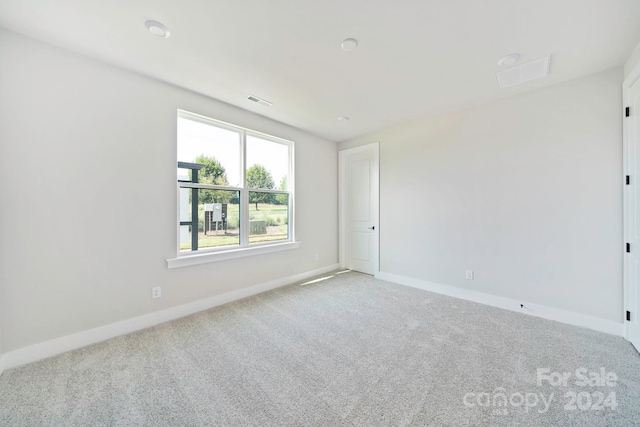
(244, 248)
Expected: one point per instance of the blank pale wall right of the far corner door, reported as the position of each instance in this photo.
(525, 191)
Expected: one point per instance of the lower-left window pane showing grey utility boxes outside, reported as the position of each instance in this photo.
(217, 221)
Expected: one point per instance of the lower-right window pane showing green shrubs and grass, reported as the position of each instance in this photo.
(268, 217)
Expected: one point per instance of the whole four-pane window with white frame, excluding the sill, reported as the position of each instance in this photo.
(235, 187)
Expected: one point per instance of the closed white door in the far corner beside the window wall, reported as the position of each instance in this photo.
(359, 229)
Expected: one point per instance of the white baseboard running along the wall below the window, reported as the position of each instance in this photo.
(56, 346)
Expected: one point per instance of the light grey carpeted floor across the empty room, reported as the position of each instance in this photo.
(348, 351)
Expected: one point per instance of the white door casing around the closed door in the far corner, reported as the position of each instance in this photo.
(342, 194)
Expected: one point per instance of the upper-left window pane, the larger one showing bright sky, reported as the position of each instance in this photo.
(216, 148)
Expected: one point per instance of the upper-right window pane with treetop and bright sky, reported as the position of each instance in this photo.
(267, 164)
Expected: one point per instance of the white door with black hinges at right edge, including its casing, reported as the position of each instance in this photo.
(632, 214)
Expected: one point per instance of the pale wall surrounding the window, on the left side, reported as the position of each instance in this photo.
(88, 211)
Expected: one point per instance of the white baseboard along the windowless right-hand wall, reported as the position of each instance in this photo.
(572, 318)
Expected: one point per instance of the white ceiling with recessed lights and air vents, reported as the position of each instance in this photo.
(415, 58)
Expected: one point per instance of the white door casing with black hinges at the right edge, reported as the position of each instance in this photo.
(633, 77)
